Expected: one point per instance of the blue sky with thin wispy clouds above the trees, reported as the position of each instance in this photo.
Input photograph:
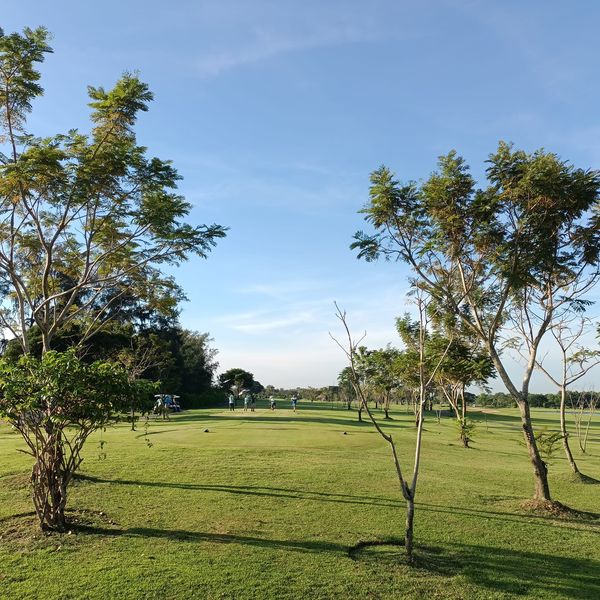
(275, 112)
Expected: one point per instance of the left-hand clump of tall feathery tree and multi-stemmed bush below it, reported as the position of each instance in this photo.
(87, 223)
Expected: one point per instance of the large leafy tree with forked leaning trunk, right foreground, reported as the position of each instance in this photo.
(534, 231)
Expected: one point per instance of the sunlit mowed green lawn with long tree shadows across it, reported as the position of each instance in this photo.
(269, 505)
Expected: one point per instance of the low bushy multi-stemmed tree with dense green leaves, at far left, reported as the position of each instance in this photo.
(55, 403)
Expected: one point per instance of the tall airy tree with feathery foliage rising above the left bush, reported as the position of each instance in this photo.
(85, 220)
